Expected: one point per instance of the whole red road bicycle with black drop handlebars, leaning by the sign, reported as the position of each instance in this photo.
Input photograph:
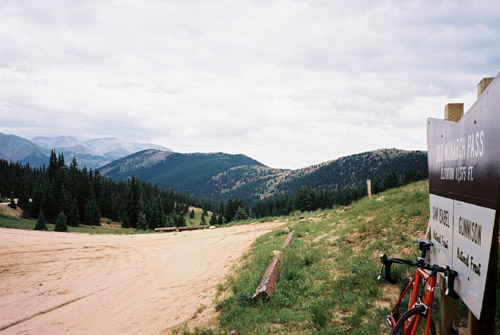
(413, 306)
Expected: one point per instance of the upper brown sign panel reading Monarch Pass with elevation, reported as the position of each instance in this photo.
(464, 156)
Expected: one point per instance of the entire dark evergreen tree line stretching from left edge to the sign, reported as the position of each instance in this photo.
(70, 196)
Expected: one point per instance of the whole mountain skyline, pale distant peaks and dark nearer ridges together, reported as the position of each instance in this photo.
(216, 176)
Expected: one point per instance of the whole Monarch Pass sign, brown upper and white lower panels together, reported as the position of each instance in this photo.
(464, 185)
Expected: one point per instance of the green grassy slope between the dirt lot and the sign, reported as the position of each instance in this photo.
(328, 276)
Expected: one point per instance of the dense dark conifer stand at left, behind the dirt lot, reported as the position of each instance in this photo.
(84, 197)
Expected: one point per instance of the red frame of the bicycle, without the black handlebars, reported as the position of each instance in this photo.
(426, 300)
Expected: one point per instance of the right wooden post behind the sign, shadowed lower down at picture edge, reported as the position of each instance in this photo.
(487, 323)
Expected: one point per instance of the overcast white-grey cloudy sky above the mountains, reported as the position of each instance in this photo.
(289, 83)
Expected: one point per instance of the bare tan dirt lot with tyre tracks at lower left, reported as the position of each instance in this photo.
(61, 283)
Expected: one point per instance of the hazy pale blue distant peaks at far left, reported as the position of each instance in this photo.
(92, 153)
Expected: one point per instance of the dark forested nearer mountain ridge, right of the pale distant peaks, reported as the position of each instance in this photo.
(219, 176)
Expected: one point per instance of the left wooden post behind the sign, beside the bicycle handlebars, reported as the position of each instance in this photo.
(448, 307)
